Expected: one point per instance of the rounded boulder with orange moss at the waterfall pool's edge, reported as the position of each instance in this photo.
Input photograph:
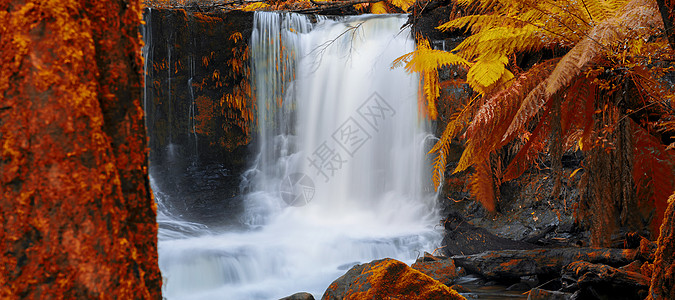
(387, 279)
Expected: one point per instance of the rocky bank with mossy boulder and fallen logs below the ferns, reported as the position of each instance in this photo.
(552, 273)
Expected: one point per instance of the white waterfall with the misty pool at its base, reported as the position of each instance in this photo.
(335, 116)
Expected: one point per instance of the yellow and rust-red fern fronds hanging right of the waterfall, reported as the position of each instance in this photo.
(557, 76)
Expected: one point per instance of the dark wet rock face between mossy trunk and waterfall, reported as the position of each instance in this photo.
(200, 140)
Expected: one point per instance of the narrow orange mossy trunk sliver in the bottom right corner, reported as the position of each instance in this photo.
(663, 278)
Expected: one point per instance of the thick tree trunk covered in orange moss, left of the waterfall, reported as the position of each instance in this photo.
(78, 220)
